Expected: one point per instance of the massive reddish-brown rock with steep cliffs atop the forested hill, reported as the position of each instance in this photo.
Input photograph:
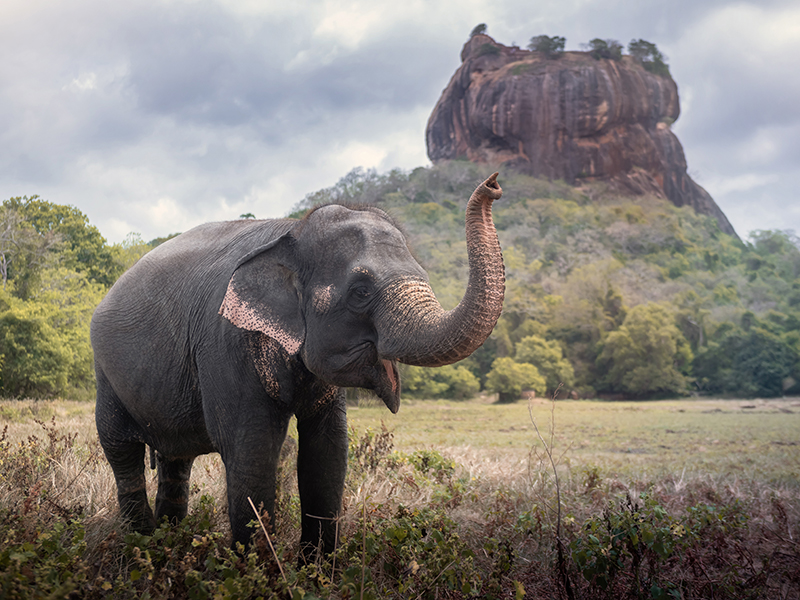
(572, 118)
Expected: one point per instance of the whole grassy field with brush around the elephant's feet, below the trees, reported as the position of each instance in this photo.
(720, 515)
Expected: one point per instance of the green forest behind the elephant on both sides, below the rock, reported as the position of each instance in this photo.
(607, 295)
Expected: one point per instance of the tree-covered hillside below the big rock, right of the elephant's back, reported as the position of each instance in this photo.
(606, 293)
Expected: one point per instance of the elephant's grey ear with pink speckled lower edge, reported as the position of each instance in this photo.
(262, 296)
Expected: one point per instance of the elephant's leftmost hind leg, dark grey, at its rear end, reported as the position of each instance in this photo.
(125, 453)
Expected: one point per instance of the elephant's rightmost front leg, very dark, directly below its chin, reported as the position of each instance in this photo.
(321, 469)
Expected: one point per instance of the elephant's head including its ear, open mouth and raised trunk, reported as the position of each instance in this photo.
(342, 291)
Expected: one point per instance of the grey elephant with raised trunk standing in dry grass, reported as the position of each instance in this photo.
(213, 340)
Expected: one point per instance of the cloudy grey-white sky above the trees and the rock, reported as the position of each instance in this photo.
(152, 116)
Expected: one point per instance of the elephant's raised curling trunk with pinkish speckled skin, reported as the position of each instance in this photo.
(416, 330)
